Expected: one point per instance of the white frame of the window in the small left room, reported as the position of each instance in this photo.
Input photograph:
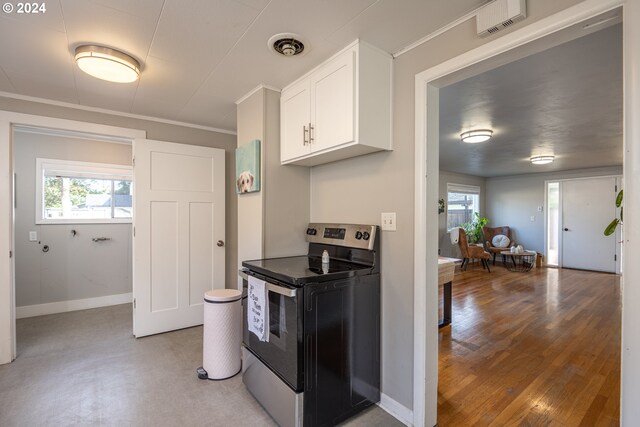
(80, 170)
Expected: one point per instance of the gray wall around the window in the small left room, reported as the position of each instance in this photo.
(75, 267)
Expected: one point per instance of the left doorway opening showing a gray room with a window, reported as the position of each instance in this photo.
(73, 198)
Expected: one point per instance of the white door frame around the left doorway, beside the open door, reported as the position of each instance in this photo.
(9, 119)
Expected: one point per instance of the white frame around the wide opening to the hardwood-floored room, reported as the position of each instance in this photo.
(426, 168)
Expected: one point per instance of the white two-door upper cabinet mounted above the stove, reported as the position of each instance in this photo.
(340, 109)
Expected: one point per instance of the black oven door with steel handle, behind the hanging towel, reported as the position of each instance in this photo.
(283, 352)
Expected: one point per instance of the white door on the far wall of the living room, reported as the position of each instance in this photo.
(588, 206)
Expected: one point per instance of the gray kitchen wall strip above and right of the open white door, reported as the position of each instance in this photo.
(163, 132)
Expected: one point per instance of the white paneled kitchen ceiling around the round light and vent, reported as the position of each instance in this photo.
(197, 60)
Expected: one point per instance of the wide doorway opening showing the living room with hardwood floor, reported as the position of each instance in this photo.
(511, 189)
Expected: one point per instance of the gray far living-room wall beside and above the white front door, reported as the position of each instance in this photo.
(513, 200)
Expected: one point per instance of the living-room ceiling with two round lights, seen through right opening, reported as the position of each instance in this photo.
(565, 101)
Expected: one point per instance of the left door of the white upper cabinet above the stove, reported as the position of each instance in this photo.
(295, 118)
